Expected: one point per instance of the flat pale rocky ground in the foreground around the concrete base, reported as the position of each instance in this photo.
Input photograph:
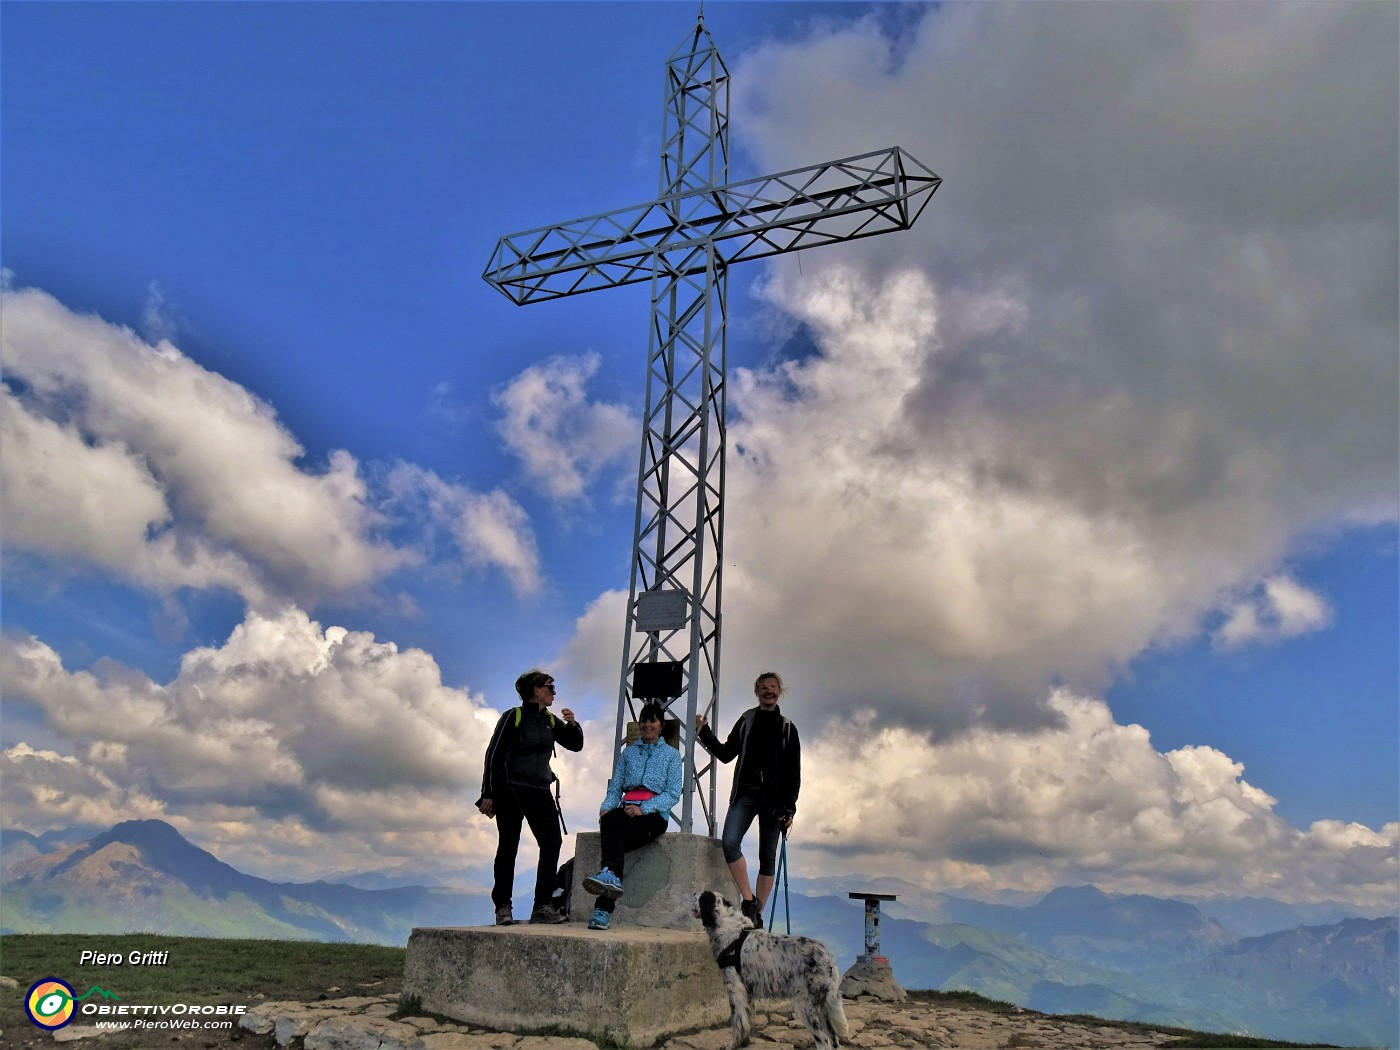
(363, 1023)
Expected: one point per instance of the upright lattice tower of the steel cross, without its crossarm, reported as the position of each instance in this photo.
(680, 527)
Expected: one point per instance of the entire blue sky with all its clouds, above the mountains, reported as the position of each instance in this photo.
(1070, 516)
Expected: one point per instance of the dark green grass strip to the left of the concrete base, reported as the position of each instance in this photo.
(198, 971)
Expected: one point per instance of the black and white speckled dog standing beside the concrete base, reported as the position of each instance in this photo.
(757, 964)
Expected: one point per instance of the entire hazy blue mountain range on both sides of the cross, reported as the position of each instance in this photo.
(1249, 967)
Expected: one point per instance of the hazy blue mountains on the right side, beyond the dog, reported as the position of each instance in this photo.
(1073, 953)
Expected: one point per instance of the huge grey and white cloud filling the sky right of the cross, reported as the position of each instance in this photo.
(1116, 374)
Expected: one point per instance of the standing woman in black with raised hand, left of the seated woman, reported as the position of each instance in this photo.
(516, 783)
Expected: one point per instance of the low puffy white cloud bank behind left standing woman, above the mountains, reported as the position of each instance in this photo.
(289, 751)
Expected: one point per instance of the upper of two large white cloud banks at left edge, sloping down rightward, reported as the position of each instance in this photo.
(135, 460)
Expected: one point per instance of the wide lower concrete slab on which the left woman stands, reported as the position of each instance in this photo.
(628, 985)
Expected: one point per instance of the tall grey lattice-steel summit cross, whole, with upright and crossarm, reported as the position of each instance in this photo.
(684, 243)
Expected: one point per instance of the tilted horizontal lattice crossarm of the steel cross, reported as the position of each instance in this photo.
(839, 201)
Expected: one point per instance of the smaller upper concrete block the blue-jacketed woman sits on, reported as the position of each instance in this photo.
(660, 881)
